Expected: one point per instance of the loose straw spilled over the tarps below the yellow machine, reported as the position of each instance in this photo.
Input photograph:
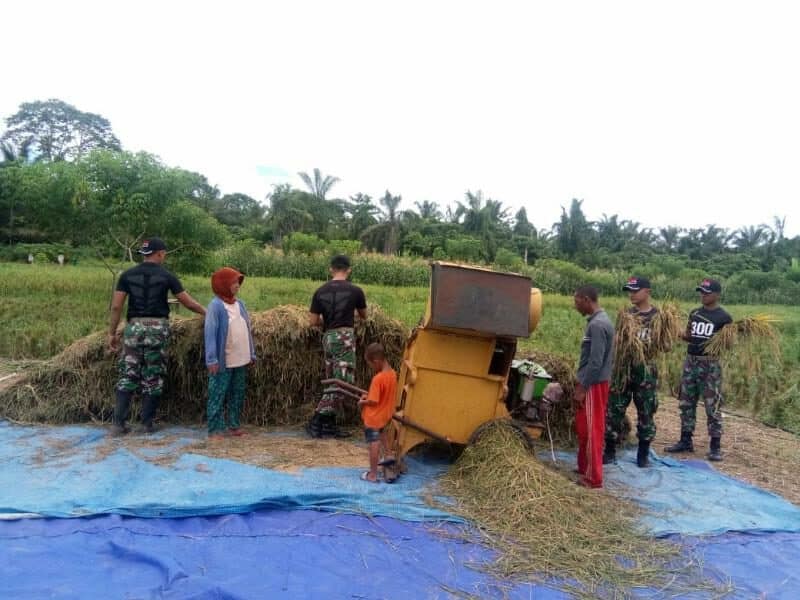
(547, 529)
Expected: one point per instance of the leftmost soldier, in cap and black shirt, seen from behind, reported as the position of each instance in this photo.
(146, 334)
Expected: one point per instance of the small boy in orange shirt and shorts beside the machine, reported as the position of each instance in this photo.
(377, 407)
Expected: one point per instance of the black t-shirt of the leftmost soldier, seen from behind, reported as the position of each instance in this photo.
(147, 286)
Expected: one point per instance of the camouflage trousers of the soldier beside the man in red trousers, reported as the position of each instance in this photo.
(641, 387)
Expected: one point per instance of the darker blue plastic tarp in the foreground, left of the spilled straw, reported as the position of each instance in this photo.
(272, 554)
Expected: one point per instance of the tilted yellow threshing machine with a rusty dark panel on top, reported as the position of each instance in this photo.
(455, 369)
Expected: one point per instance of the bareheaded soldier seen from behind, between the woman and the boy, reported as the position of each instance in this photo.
(333, 307)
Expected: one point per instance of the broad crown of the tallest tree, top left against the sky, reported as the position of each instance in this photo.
(56, 130)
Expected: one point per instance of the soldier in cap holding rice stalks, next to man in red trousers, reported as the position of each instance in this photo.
(640, 384)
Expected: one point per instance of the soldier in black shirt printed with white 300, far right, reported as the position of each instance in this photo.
(702, 374)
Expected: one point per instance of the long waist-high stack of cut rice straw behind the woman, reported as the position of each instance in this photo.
(283, 386)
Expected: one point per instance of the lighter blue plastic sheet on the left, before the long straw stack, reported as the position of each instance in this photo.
(83, 481)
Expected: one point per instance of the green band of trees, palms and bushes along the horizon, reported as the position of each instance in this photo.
(67, 187)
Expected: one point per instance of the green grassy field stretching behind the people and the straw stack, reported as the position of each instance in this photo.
(44, 308)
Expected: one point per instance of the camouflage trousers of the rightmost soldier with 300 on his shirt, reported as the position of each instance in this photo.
(702, 378)
